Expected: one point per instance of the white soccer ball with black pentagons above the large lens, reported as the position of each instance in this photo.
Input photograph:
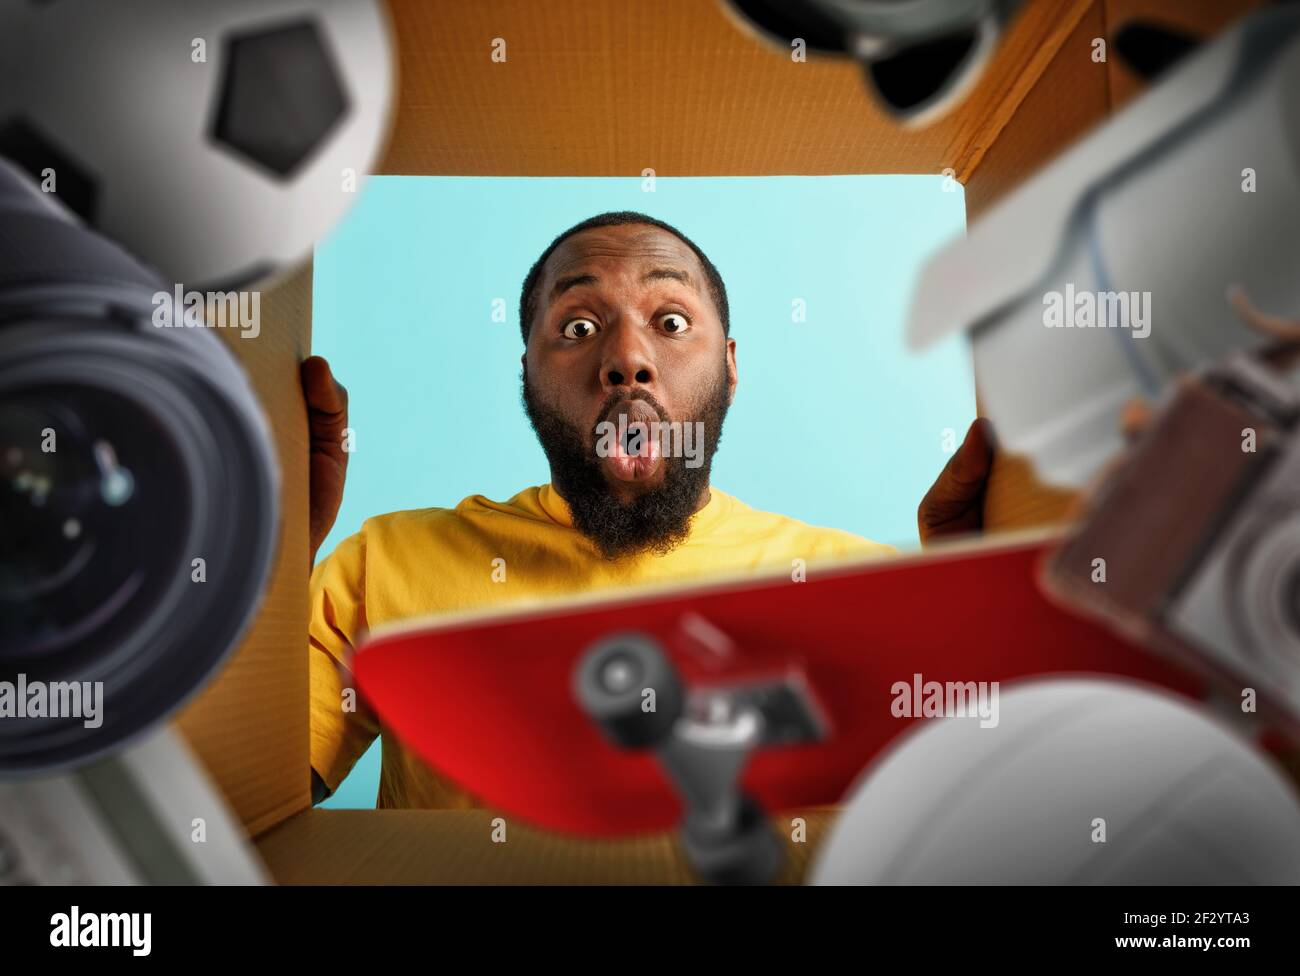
(216, 141)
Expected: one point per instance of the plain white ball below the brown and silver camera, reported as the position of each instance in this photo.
(1082, 782)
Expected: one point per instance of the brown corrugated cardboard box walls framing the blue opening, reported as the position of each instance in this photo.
(608, 88)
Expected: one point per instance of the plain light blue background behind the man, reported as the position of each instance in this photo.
(404, 297)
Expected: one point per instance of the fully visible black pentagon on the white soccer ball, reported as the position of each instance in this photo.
(279, 97)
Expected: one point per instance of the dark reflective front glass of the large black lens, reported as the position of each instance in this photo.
(92, 528)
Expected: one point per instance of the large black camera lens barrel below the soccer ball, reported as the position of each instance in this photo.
(138, 491)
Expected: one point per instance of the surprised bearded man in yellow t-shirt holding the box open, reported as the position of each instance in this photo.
(629, 371)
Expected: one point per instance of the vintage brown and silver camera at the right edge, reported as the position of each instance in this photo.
(1194, 545)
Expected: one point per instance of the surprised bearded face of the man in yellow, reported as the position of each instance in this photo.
(626, 331)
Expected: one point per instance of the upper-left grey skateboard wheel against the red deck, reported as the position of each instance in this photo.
(630, 687)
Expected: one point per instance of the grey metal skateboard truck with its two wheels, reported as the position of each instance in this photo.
(704, 739)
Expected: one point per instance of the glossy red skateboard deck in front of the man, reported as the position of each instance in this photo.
(489, 700)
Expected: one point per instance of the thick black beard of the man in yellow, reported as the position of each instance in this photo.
(658, 519)
